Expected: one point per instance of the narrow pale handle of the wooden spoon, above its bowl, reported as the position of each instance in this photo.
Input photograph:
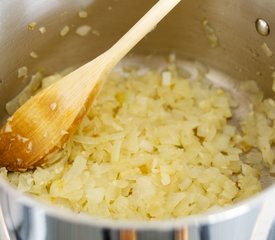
(145, 25)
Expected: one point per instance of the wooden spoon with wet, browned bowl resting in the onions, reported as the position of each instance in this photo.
(44, 123)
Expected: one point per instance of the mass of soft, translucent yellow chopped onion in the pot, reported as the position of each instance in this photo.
(157, 146)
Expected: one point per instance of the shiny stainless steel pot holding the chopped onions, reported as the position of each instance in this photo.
(238, 56)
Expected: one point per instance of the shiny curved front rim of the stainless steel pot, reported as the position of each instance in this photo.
(222, 214)
